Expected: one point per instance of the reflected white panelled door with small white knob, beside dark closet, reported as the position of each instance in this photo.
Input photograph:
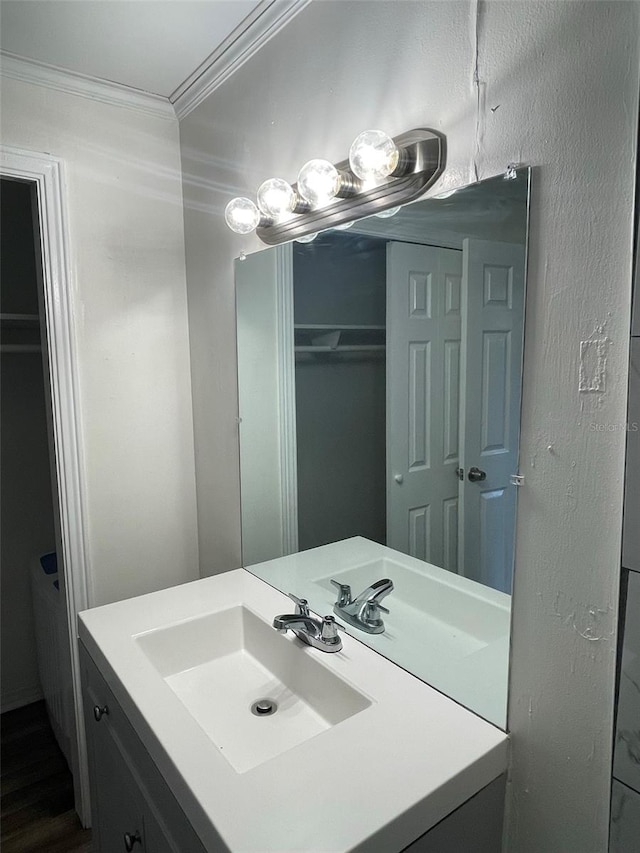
(424, 291)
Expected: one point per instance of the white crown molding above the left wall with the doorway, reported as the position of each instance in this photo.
(74, 83)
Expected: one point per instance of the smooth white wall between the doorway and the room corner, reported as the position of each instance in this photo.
(128, 279)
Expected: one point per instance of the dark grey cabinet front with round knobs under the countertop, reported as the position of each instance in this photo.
(132, 807)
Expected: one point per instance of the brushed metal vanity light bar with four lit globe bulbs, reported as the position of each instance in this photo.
(380, 175)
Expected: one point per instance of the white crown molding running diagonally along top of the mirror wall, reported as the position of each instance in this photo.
(266, 20)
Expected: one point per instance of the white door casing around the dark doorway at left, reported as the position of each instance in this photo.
(47, 174)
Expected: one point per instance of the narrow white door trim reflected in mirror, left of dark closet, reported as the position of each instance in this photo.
(287, 398)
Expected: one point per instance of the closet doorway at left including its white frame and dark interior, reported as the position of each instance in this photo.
(42, 475)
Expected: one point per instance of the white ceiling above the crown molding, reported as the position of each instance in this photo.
(152, 45)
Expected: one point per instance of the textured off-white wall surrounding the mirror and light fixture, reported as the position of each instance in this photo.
(558, 89)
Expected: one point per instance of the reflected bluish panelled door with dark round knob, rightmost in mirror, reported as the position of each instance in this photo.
(492, 323)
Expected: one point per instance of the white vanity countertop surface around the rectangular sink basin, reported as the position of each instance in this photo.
(374, 782)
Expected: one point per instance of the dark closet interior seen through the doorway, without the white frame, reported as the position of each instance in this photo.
(36, 654)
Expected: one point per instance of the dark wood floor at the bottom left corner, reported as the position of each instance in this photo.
(37, 788)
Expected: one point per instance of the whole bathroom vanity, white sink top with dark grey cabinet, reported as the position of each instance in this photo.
(168, 775)
